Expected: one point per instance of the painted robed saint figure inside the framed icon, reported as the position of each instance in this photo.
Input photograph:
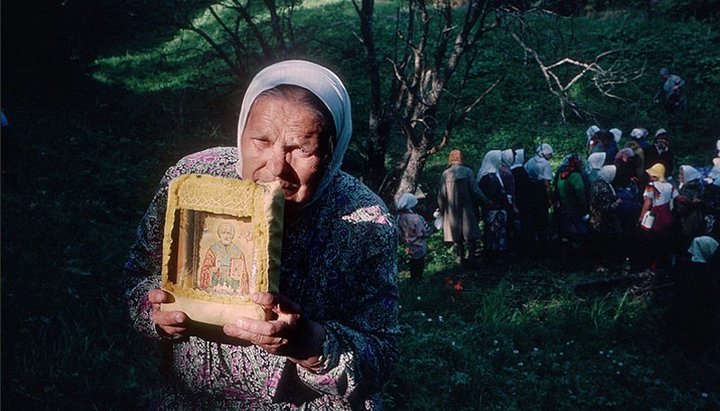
(224, 268)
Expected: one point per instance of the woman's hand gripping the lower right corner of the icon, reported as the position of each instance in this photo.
(290, 334)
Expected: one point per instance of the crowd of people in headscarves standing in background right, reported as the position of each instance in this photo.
(616, 204)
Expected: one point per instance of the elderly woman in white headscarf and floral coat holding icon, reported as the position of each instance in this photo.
(332, 342)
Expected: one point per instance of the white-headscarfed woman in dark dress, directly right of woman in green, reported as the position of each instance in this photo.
(604, 221)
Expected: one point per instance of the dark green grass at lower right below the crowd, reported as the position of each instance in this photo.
(517, 339)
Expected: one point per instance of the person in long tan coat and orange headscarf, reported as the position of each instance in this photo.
(458, 200)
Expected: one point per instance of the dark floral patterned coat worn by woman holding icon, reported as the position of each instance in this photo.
(338, 264)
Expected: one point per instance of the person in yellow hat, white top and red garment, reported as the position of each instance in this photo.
(657, 201)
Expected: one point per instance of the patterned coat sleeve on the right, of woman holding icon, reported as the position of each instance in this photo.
(361, 350)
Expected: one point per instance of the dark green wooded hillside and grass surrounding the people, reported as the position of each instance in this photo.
(102, 96)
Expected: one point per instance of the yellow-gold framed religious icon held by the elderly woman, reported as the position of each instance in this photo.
(222, 242)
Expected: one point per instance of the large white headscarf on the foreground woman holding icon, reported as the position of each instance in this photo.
(320, 81)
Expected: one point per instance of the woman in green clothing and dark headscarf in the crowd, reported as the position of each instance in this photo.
(572, 201)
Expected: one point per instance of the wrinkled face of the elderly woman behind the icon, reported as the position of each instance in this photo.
(281, 142)
